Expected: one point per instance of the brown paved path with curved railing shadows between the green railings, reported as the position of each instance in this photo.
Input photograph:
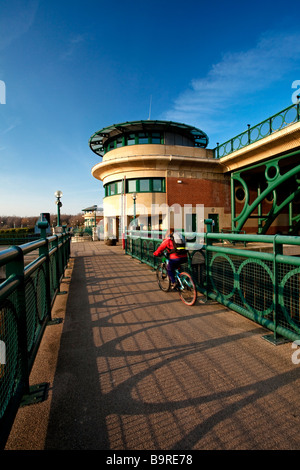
(133, 368)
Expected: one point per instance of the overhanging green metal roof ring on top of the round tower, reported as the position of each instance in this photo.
(99, 138)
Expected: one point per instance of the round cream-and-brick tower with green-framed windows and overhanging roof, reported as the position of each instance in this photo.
(151, 170)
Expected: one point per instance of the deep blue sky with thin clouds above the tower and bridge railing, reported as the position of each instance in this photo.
(71, 68)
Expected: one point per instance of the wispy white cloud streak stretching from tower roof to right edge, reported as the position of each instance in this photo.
(238, 75)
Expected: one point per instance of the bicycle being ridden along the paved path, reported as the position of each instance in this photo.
(185, 284)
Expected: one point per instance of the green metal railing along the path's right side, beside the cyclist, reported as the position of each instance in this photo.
(263, 286)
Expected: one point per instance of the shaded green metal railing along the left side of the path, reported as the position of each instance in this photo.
(26, 298)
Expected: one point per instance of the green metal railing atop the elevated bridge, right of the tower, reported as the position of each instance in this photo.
(267, 127)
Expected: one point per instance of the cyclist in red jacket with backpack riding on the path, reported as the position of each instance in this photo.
(174, 244)
